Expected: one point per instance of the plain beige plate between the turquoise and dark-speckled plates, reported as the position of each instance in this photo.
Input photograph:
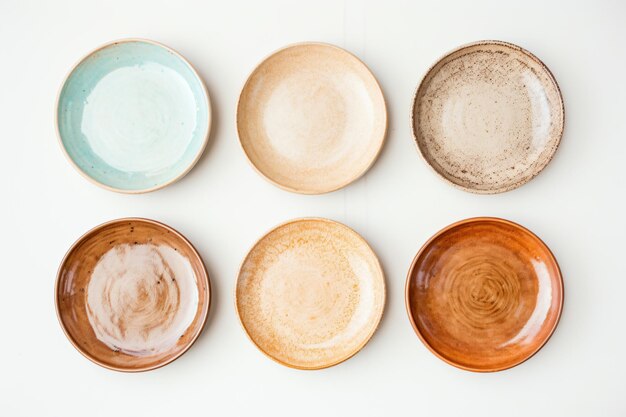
(311, 118)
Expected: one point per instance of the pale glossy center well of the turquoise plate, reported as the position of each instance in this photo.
(140, 118)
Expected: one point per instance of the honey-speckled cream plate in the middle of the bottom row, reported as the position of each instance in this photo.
(310, 293)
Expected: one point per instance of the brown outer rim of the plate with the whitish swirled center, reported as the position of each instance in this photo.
(204, 312)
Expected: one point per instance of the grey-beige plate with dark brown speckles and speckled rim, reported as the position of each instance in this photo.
(488, 117)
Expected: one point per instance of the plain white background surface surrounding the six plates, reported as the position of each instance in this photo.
(576, 205)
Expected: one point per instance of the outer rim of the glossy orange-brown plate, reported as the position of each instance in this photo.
(560, 287)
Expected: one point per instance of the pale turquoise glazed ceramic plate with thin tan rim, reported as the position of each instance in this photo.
(133, 116)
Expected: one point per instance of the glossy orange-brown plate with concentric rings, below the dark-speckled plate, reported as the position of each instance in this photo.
(484, 294)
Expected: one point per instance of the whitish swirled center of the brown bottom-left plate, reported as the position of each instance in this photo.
(141, 298)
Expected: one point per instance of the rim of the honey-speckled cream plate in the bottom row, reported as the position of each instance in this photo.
(360, 346)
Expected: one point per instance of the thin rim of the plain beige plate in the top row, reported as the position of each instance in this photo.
(296, 189)
